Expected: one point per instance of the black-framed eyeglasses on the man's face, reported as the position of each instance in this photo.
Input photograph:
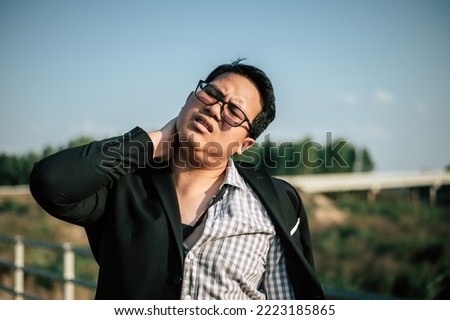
(229, 112)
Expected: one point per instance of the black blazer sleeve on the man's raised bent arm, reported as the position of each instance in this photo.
(72, 184)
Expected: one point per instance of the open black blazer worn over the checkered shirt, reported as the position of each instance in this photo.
(127, 204)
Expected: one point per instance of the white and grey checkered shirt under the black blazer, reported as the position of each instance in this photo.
(238, 255)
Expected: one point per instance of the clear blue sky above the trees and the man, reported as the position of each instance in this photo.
(376, 73)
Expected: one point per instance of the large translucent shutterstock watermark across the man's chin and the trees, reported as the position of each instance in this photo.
(127, 153)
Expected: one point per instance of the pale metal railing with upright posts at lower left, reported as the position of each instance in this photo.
(20, 270)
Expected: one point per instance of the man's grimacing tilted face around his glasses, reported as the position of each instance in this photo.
(202, 127)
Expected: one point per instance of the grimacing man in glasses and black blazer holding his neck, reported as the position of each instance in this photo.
(169, 215)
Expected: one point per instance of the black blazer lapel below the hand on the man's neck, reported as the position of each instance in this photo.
(162, 181)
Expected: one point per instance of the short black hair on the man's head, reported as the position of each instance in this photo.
(262, 83)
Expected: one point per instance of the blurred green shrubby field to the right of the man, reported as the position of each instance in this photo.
(394, 247)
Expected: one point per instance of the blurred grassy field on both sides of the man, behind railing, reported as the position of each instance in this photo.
(394, 247)
